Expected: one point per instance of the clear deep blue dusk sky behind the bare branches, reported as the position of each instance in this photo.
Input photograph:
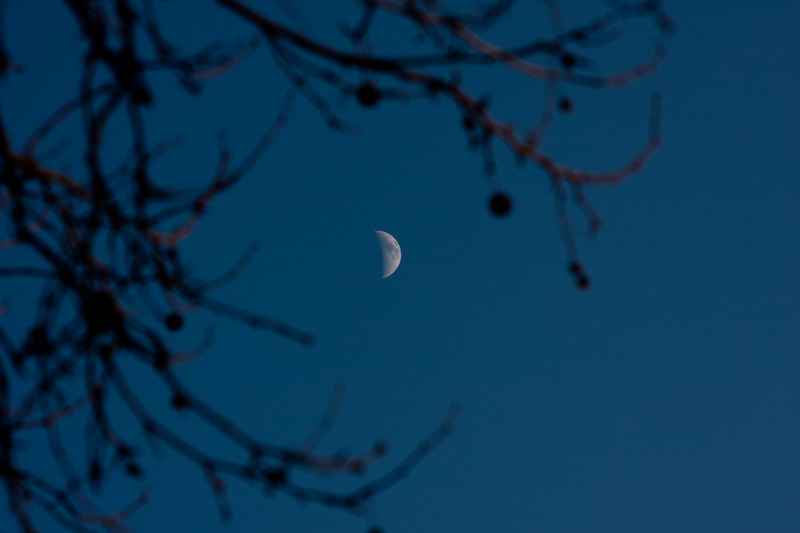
(663, 399)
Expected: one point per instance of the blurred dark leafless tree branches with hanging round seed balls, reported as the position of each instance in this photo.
(99, 249)
